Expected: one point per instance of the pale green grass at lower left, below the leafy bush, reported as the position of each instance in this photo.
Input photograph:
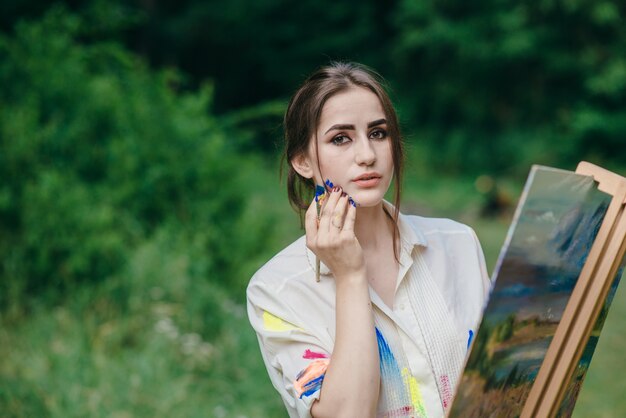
(162, 346)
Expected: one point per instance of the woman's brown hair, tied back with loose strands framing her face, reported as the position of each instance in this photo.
(303, 115)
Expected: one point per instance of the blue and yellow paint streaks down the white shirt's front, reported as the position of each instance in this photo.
(402, 390)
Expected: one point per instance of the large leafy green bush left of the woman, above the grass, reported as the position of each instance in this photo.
(98, 152)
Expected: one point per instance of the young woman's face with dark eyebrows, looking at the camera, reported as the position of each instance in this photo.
(354, 148)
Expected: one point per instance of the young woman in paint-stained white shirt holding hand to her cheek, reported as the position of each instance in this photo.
(385, 330)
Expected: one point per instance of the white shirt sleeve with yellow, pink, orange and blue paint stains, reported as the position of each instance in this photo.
(295, 358)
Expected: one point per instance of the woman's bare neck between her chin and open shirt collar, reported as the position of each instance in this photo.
(373, 227)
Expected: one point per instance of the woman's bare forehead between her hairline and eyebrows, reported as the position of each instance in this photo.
(351, 106)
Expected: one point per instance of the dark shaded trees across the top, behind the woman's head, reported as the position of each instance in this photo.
(489, 86)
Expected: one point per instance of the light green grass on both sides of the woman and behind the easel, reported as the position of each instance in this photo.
(160, 340)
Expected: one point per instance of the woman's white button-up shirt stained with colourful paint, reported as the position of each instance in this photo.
(441, 288)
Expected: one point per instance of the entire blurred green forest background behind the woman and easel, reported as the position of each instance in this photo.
(139, 160)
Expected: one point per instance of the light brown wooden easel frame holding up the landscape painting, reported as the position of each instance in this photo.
(586, 301)
